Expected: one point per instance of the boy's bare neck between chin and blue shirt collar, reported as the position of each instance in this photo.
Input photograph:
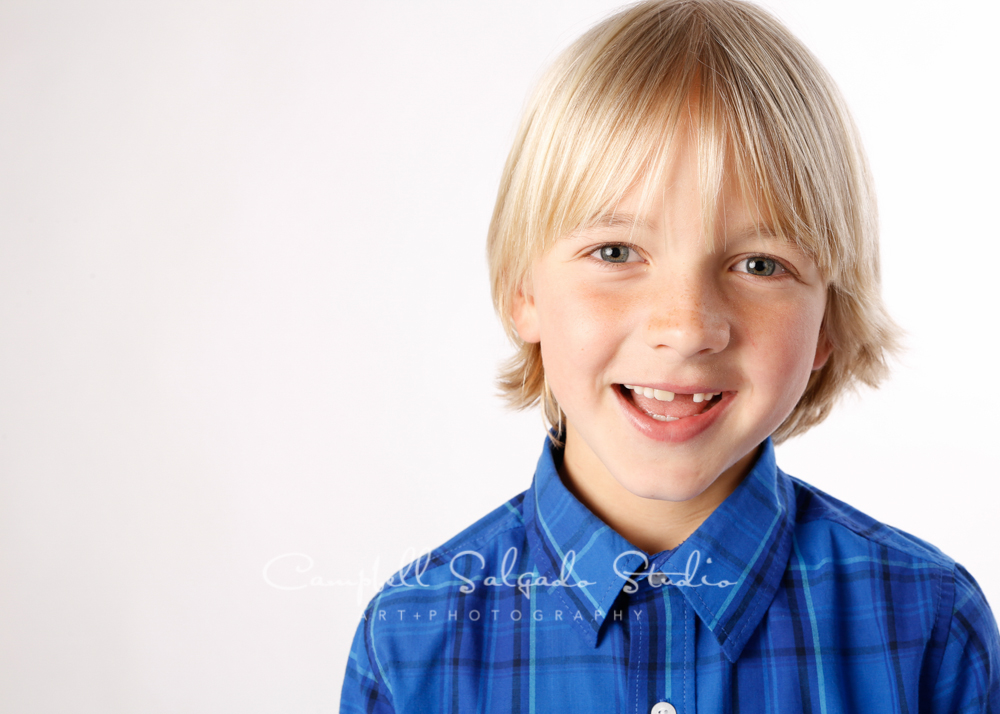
(650, 524)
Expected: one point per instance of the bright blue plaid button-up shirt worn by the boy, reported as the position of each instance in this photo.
(784, 600)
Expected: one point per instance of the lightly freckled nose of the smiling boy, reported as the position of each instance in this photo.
(688, 319)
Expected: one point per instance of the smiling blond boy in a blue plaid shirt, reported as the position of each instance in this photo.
(684, 250)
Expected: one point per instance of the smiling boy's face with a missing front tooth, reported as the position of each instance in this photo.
(743, 321)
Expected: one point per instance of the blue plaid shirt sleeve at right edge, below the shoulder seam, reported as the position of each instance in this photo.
(968, 678)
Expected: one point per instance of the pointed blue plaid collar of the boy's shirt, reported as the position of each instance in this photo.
(728, 570)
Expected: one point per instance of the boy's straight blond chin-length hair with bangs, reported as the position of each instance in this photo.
(600, 121)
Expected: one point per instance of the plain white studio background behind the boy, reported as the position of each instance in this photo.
(244, 312)
